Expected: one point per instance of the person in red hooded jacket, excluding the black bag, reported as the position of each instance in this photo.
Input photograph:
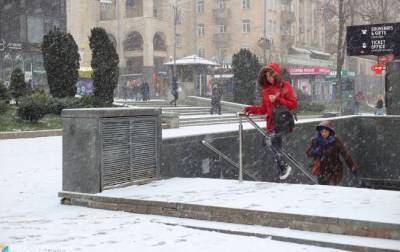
(276, 92)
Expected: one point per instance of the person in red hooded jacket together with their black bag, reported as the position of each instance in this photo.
(278, 102)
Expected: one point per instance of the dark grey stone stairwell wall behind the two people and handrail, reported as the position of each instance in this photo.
(371, 140)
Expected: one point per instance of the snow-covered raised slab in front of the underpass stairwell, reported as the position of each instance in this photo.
(316, 200)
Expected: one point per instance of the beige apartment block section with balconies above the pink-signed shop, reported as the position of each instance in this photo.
(290, 32)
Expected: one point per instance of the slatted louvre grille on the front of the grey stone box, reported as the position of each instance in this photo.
(129, 151)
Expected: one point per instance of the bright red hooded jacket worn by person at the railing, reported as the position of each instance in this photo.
(283, 91)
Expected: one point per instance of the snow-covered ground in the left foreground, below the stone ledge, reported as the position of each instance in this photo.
(32, 219)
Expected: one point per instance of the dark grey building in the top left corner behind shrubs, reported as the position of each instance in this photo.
(23, 24)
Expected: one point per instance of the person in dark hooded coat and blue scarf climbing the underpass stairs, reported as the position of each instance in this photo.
(327, 148)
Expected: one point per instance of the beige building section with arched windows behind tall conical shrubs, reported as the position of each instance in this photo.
(141, 31)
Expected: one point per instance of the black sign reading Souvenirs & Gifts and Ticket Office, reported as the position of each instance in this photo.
(376, 39)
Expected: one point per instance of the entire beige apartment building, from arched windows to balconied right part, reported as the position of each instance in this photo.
(143, 32)
